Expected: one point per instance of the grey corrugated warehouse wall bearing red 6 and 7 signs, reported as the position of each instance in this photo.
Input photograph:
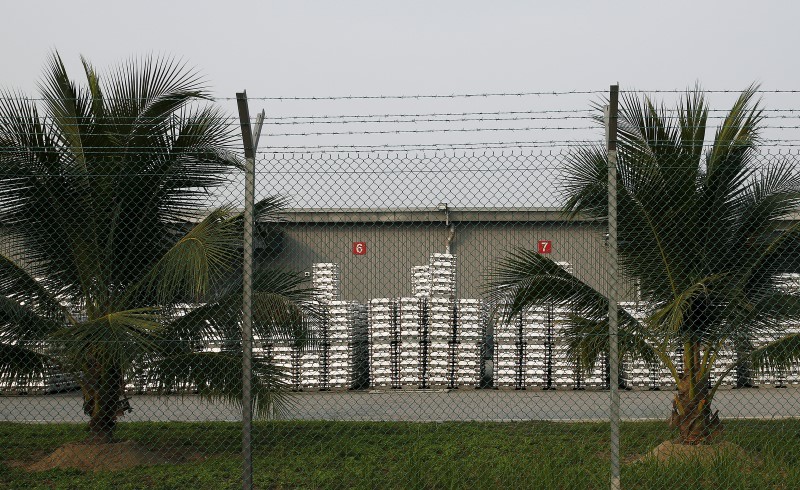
(376, 249)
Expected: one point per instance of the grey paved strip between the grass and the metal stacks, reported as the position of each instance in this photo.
(419, 406)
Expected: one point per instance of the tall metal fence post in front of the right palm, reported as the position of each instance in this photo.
(613, 283)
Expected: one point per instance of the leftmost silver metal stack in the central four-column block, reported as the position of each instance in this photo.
(383, 333)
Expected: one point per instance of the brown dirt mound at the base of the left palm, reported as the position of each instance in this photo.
(109, 457)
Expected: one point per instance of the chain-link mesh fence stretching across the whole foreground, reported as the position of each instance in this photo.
(420, 318)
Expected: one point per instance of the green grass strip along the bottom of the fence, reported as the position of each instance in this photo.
(413, 455)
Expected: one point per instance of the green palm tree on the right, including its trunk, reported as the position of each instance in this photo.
(701, 231)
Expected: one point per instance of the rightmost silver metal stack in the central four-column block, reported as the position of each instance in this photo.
(470, 326)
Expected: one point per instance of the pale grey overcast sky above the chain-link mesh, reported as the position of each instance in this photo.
(331, 48)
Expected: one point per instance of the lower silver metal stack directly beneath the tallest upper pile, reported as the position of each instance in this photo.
(441, 345)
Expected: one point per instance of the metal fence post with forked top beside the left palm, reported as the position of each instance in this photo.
(247, 295)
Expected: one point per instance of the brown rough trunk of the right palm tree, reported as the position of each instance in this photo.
(691, 408)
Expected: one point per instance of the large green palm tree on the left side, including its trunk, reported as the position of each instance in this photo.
(114, 271)
